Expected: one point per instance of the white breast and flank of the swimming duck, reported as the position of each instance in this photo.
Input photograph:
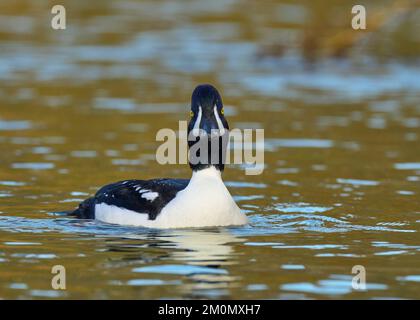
(204, 202)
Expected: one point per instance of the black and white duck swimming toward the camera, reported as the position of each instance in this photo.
(165, 203)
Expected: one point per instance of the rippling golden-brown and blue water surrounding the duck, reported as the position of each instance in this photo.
(81, 108)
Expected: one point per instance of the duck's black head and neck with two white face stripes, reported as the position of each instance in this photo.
(208, 125)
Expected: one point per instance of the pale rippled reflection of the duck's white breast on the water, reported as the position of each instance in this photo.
(198, 254)
